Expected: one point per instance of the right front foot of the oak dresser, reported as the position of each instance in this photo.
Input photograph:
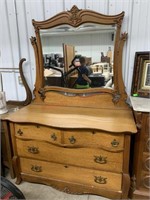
(125, 186)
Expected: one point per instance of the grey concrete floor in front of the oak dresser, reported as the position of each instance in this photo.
(43, 192)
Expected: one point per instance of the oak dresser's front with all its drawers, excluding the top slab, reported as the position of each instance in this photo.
(93, 159)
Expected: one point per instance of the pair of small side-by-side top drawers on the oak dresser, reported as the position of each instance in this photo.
(71, 138)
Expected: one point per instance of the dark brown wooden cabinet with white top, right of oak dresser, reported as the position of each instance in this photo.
(141, 149)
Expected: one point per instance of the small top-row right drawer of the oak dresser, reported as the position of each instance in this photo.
(94, 139)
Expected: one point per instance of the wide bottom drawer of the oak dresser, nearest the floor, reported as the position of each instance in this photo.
(100, 179)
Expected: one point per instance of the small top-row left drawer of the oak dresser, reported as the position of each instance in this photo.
(38, 132)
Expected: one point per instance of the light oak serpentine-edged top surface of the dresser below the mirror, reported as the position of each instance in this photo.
(111, 120)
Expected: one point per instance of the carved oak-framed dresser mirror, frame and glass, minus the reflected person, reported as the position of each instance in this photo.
(85, 33)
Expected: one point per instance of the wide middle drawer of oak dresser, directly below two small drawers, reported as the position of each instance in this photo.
(83, 157)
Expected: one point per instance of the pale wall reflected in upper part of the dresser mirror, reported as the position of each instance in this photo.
(89, 45)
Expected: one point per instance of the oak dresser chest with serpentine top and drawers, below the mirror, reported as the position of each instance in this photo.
(73, 149)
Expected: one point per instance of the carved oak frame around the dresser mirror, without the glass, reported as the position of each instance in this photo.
(75, 17)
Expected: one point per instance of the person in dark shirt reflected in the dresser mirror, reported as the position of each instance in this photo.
(83, 80)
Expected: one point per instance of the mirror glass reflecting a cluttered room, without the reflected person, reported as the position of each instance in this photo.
(94, 42)
